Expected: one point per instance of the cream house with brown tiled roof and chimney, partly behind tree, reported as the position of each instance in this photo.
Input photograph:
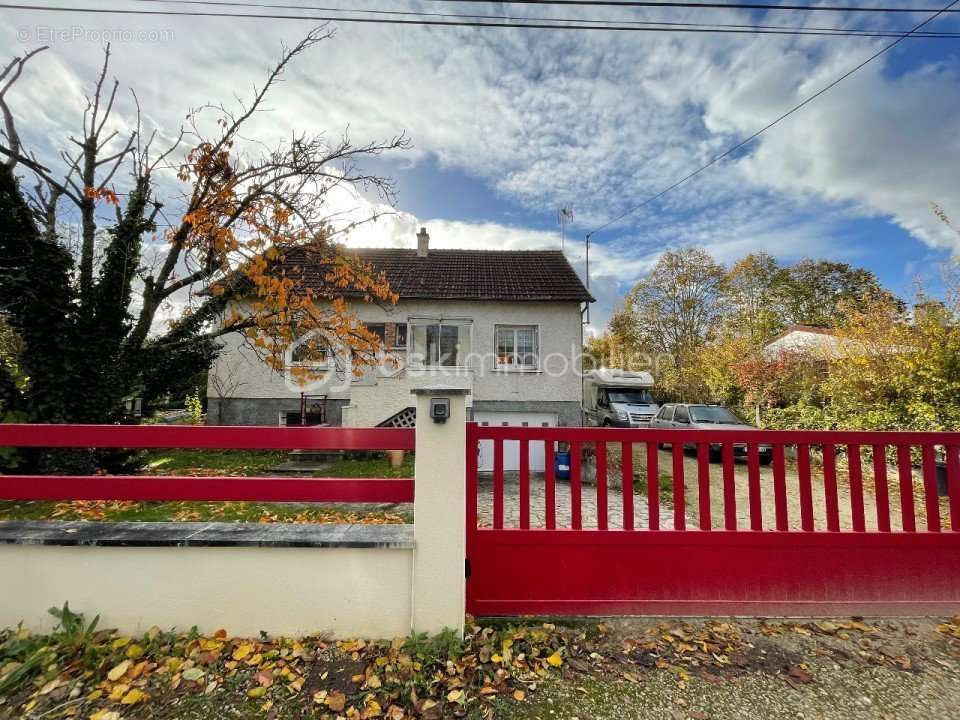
(505, 324)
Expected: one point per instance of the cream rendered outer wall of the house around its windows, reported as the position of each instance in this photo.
(240, 375)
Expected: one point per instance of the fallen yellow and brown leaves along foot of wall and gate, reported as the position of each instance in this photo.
(92, 674)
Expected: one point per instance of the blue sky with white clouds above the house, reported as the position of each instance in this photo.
(508, 125)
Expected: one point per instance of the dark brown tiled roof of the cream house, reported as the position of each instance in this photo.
(461, 274)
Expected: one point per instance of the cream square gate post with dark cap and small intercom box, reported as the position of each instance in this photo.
(439, 512)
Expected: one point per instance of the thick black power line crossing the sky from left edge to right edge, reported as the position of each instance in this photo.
(458, 23)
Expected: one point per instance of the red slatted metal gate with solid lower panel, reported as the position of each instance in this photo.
(837, 525)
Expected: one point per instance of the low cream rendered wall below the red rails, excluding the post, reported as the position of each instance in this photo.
(346, 592)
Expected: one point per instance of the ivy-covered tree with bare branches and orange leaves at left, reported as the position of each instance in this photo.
(88, 317)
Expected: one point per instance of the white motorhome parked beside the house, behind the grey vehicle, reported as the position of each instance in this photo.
(618, 398)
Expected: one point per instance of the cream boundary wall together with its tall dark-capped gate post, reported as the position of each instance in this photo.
(377, 590)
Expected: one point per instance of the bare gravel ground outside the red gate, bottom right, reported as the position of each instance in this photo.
(902, 670)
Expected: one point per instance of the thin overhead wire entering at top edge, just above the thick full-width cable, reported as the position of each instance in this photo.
(839, 30)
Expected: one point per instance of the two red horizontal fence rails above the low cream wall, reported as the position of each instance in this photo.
(262, 489)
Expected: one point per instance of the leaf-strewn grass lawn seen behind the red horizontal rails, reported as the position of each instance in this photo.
(239, 463)
